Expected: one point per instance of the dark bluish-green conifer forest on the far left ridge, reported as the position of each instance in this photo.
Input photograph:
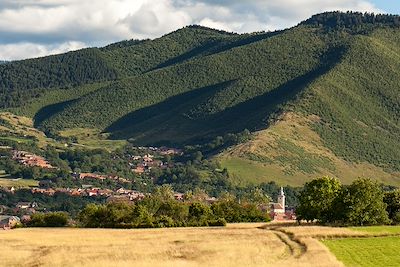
(23, 80)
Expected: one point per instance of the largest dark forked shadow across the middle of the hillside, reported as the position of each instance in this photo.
(168, 123)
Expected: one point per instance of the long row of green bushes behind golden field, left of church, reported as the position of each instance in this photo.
(162, 210)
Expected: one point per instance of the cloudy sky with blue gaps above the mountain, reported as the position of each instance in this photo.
(34, 28)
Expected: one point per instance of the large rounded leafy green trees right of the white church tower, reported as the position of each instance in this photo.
(363, 202)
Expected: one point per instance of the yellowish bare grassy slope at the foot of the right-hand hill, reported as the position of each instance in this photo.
(269, 155)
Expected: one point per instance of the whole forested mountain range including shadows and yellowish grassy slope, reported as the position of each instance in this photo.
(321, 98)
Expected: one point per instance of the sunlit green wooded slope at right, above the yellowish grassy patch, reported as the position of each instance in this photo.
(358, 101)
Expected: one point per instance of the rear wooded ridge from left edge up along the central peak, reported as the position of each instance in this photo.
(23, 81)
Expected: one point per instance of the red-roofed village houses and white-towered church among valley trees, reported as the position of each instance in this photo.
(140, 163)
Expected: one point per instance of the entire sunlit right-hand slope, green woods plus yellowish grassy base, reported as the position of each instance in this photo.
(346, 123)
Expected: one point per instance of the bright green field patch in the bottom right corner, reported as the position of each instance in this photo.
(368, 252)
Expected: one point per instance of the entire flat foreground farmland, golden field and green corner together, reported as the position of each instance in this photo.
(234, 245)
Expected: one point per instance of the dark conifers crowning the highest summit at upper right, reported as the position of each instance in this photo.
(352, 20)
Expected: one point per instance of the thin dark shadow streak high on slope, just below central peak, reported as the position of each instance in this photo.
(215, 47)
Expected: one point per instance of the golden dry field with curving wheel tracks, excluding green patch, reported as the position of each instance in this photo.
(235, 245)
